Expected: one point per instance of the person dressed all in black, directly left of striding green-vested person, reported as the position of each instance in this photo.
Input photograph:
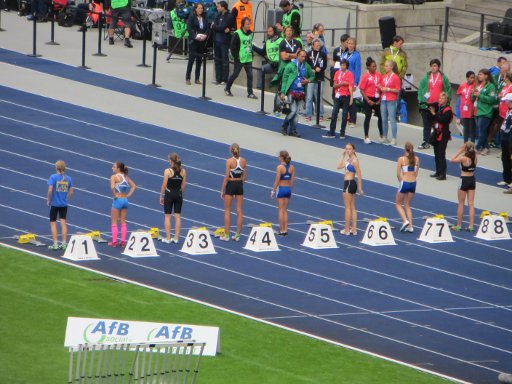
(223, 24)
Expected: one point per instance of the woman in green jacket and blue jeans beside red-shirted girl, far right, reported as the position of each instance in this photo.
(484, 97)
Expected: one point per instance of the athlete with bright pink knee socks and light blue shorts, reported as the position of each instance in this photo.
(122, 187)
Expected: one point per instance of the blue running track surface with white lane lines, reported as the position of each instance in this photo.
(445, 307)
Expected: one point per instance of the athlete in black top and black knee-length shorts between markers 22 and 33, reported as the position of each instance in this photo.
(171, 196)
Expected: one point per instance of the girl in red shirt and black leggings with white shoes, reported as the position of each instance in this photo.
(371, 97)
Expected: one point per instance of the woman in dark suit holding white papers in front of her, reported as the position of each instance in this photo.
(198, 30)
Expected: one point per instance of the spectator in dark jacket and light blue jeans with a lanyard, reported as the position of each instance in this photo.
(317, 60)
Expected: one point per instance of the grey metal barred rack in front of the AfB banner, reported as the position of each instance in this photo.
(165, 363)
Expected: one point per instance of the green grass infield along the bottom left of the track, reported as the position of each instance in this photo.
(38, 295)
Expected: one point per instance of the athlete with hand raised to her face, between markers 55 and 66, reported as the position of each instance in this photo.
(350, 162)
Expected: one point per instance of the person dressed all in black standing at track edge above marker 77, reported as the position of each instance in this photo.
(442, 116)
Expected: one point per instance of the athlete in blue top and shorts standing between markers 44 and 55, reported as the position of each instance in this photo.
(282, 189)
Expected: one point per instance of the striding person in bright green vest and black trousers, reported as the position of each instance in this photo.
(241, 50)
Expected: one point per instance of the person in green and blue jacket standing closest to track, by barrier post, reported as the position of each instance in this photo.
(296, 75)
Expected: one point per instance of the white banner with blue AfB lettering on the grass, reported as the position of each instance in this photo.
(81, 330)
